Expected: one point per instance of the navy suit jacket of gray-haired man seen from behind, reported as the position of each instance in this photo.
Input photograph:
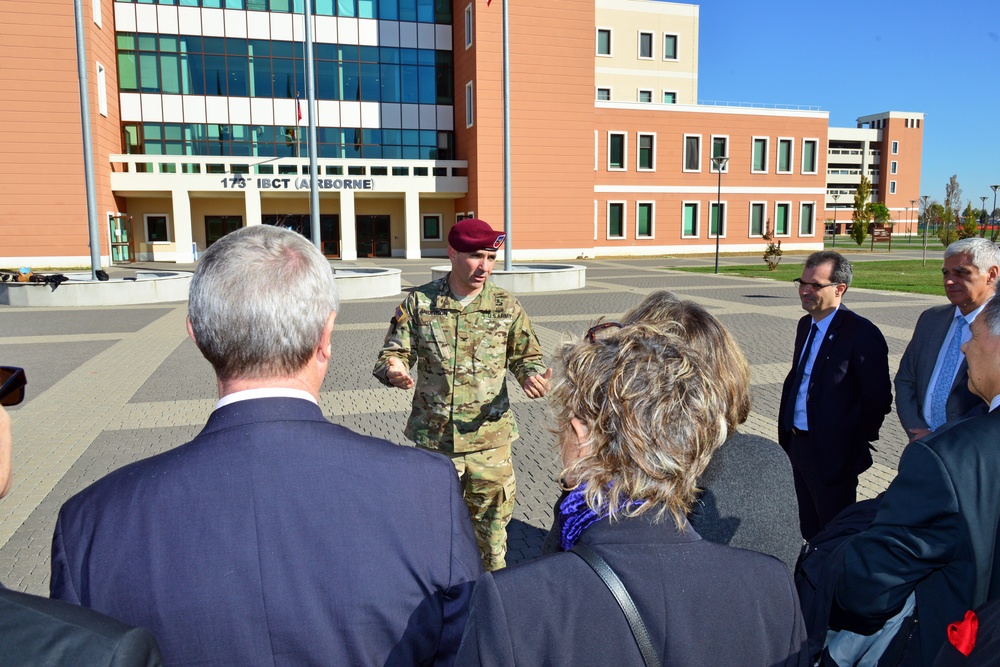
(276, 538)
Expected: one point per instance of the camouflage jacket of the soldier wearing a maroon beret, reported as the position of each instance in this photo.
(460, 403)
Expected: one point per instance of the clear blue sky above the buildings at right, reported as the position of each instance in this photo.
(856, 58)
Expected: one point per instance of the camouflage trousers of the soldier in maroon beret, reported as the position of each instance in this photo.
(487, 479)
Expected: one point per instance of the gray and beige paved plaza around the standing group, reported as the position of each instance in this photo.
(108, 386)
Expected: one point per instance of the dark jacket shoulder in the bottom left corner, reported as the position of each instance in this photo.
(40, 631)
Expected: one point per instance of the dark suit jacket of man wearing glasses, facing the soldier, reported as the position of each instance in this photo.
(848, 398)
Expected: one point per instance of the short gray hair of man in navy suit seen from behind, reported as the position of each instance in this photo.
(259, 301)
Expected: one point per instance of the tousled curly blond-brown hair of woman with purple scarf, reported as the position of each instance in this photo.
(653, 416)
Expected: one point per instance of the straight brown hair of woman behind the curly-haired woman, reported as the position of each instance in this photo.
(713, 342)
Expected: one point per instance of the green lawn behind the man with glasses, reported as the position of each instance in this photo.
(894, 276)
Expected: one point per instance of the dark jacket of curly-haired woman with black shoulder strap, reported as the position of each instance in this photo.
(703, 604)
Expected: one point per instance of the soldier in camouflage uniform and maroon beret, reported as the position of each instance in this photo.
(465, 332)
